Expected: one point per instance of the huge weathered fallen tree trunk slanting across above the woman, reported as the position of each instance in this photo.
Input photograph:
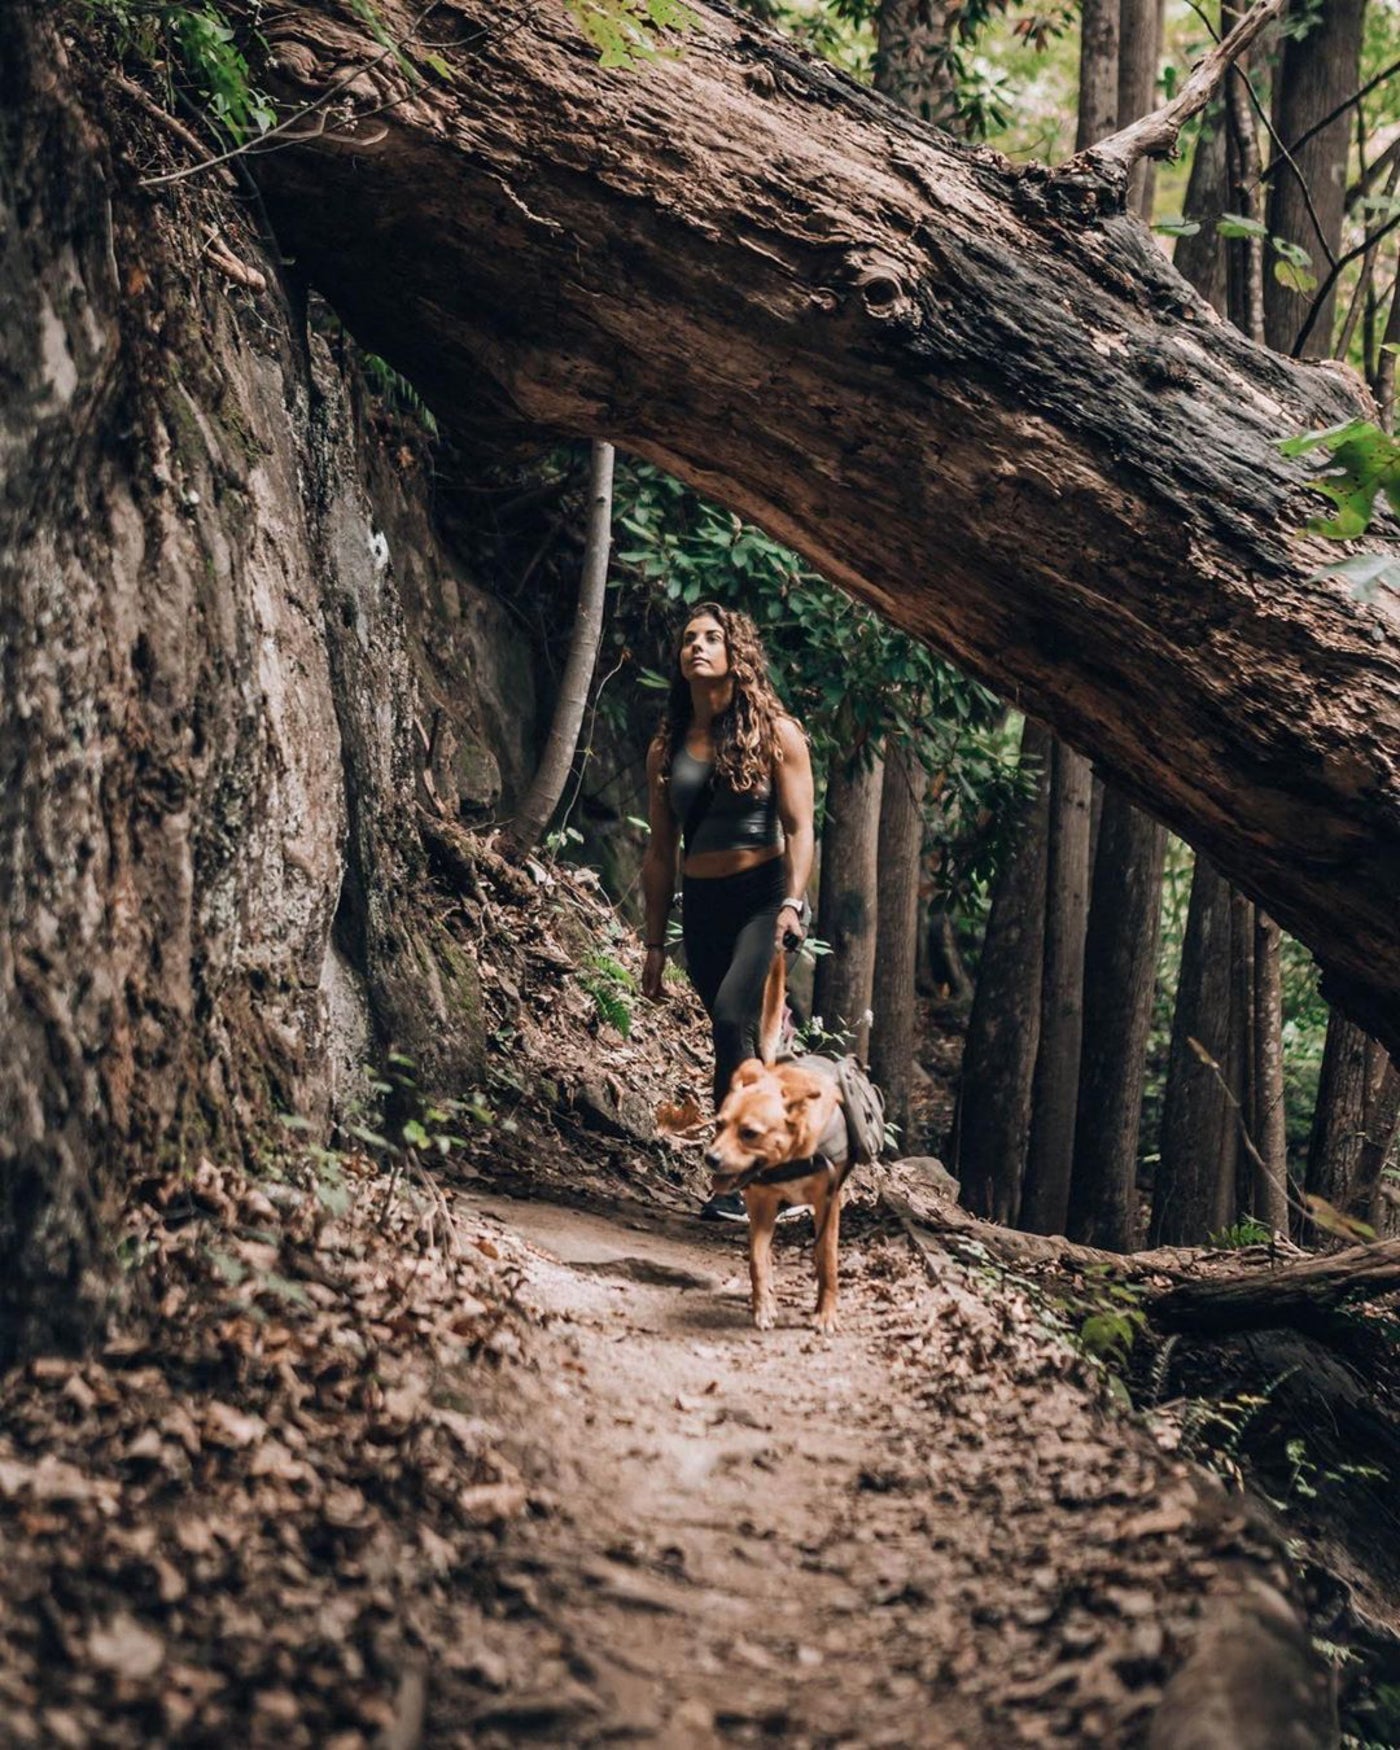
(958, 389)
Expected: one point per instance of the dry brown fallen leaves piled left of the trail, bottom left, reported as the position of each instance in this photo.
(249, 1516)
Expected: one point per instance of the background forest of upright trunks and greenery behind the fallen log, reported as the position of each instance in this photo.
(1282, 206)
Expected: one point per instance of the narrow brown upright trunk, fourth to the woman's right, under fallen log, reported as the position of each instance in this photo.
(1051, 1152)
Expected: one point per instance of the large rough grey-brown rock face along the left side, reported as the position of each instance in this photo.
(213, 732)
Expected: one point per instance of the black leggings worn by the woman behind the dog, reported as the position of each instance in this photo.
(727, 925)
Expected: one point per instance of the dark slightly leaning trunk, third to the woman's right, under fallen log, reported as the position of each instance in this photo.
(1004, 1028)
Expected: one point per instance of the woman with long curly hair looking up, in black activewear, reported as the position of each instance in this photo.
(731, 794)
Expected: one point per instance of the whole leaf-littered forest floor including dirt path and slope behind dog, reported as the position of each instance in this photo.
(384, 1457)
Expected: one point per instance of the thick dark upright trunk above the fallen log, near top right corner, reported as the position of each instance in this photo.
(1319, 69)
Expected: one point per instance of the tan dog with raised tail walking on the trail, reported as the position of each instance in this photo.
(774, 1119)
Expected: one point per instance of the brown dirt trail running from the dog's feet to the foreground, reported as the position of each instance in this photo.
(925, 1530)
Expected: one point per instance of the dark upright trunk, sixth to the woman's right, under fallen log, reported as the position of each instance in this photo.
(1198, 1121)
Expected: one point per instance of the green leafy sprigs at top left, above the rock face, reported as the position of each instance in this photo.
(197, 52)
